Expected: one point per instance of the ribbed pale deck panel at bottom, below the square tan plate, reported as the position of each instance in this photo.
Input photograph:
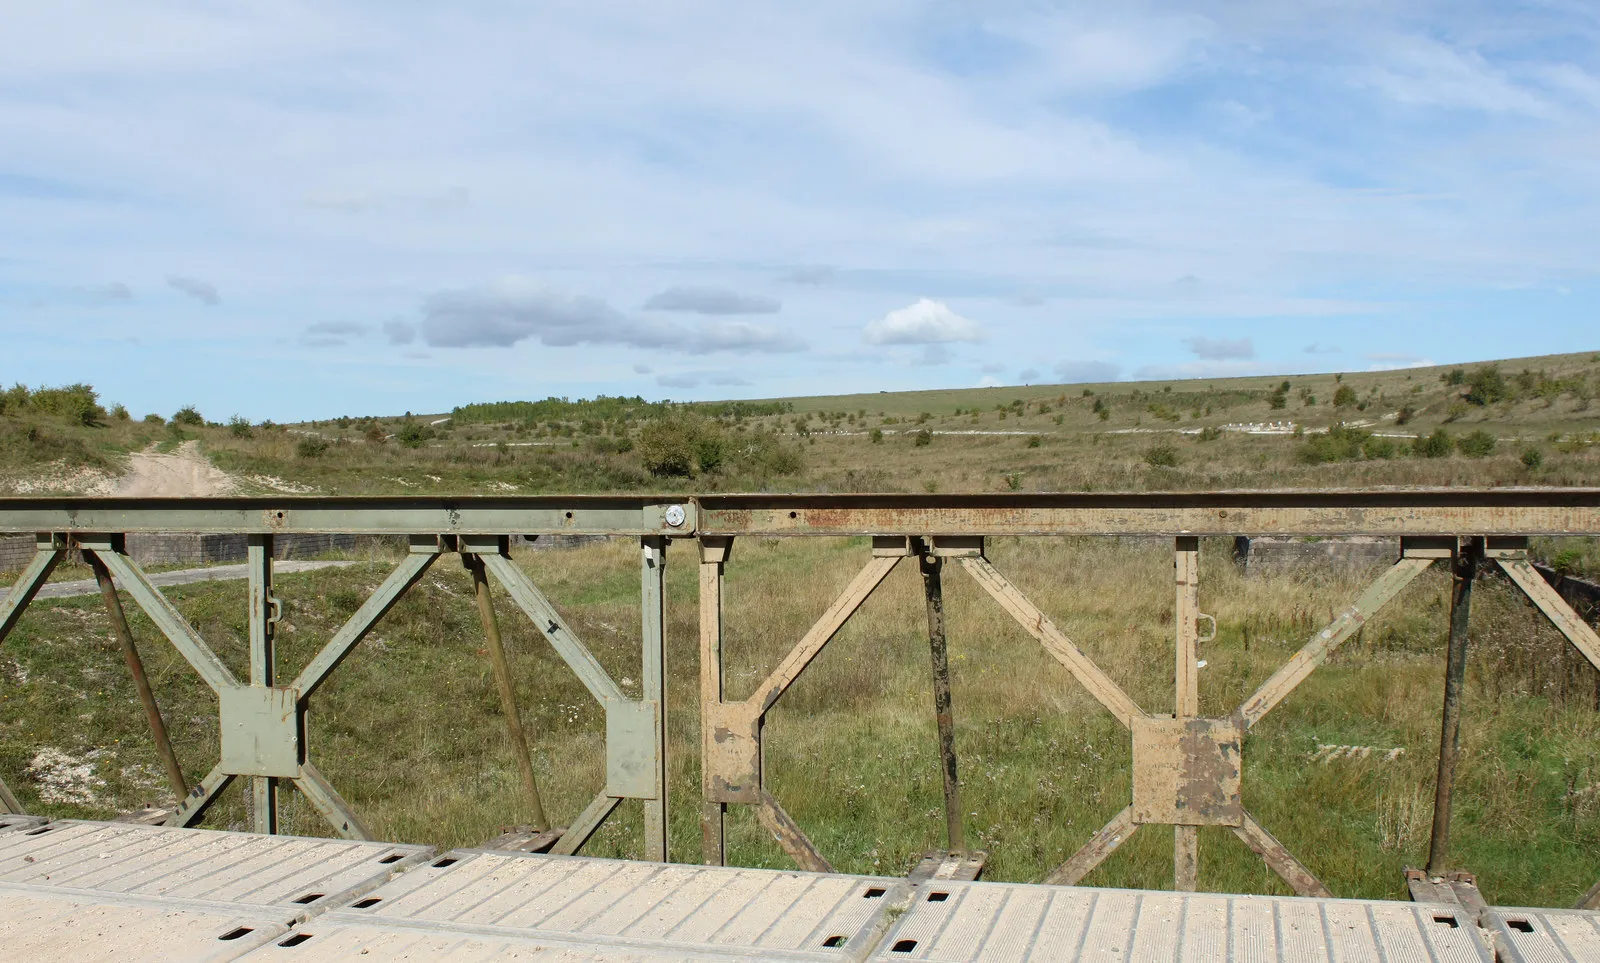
(1017, 924)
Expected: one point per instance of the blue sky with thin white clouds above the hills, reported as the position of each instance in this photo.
(294, 210)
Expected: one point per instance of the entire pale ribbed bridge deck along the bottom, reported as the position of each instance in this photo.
(73, 890)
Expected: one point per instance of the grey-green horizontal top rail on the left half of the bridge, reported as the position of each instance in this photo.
(358, 516)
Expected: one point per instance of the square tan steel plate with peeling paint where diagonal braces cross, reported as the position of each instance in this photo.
(1186, 772)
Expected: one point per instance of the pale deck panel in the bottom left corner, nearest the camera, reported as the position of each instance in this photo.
(54, 925)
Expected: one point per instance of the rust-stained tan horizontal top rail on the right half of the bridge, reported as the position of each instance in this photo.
(1566, 511)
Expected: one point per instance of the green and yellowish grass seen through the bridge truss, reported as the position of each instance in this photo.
(410, 730)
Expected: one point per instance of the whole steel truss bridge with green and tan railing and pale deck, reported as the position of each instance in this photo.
(174, 892)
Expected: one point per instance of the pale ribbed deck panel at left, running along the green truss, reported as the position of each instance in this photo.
(279, 877)
